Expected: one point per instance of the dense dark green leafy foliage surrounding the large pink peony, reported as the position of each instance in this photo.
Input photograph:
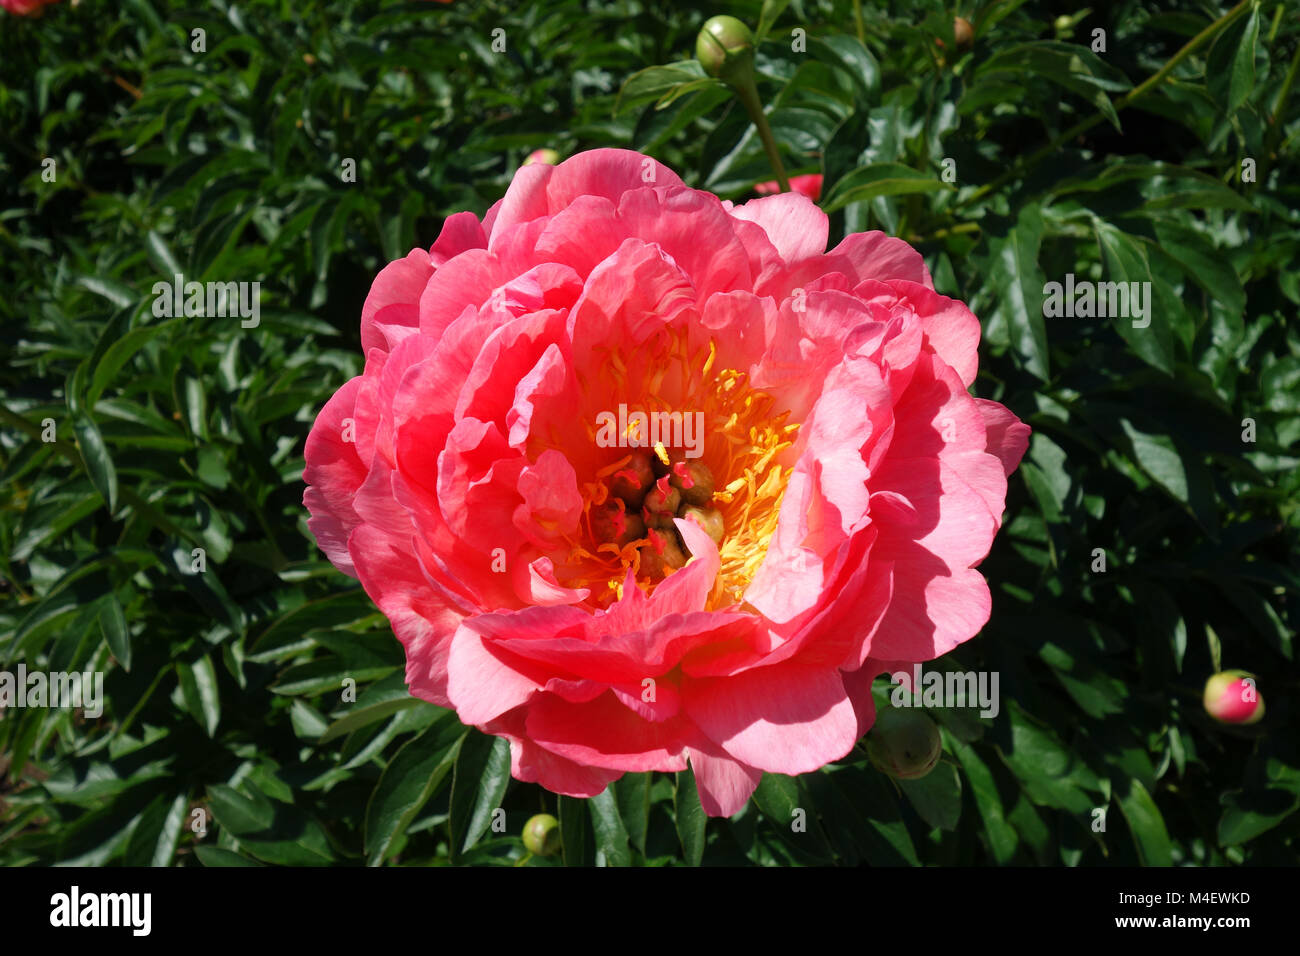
(223, 689)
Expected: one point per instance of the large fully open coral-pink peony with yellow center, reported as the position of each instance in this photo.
(560, 585)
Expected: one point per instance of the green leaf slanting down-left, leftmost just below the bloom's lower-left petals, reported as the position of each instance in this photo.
(409, 782)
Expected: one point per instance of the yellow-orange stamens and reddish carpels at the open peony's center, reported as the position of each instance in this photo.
(707, 447)
